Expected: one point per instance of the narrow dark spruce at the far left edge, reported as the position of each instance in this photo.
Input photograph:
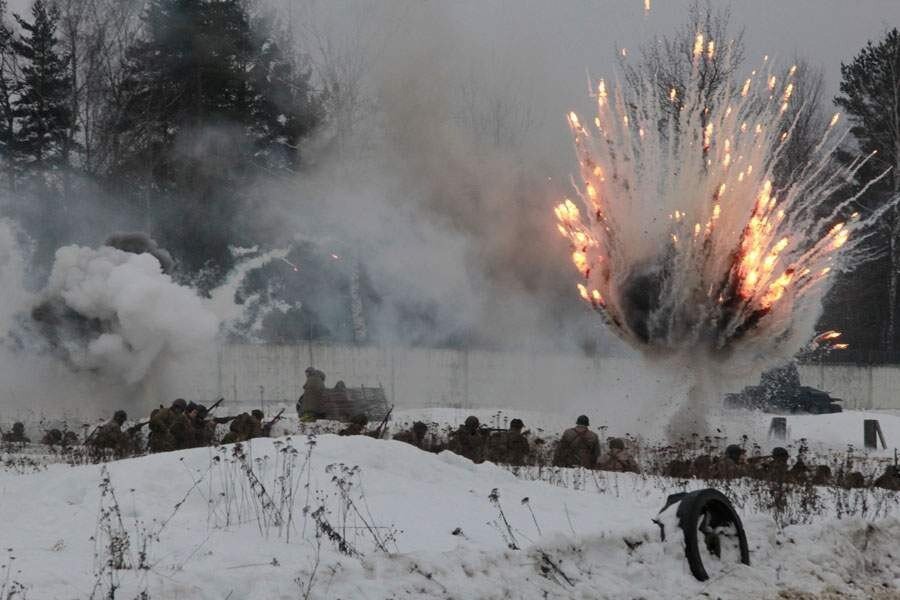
(42, 112)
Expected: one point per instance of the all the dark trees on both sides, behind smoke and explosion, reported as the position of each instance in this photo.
(167, 112)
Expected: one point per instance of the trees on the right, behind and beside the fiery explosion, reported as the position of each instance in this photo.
(863, 304)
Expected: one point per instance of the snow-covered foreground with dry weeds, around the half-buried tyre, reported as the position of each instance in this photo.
(402, 524)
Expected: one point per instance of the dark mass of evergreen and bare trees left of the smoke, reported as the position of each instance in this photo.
(171, 107)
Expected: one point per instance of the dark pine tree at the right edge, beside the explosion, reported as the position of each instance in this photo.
(870, 97)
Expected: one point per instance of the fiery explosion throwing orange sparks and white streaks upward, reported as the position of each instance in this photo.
(683, 235)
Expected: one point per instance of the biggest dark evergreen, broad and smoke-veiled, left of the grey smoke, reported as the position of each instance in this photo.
(205, 108)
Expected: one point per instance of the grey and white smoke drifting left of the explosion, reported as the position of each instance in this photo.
(445, 151)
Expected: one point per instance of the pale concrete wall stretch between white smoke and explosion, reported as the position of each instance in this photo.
(410, 377)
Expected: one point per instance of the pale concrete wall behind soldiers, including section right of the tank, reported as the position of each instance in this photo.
(427, 377)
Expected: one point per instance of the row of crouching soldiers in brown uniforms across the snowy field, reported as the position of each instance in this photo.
(188, 425)
